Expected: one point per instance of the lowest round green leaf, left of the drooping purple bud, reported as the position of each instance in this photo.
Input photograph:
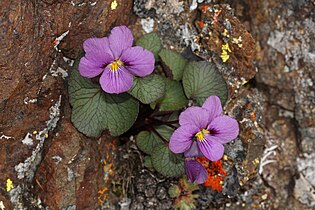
(167, 163)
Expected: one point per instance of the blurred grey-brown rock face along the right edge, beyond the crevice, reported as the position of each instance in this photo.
(284, 32)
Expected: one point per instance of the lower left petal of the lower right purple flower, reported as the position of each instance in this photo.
(181, 139)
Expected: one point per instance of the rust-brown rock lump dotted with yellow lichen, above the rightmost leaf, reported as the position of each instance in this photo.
(220, 27)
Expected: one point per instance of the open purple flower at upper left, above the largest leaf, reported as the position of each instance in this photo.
(116, 59)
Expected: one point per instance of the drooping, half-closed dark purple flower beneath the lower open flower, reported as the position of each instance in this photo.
(194, 170)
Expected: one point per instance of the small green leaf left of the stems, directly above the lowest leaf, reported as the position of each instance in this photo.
(147, 141)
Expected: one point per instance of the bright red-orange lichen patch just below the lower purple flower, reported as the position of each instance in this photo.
(215, 171)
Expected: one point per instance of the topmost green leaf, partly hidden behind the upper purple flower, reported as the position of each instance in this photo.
(150, 42)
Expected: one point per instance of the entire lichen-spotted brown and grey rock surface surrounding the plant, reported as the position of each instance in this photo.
(270, 165)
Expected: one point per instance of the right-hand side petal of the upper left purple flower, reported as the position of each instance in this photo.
(138, 61)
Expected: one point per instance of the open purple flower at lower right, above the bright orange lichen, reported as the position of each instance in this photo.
(207, 126)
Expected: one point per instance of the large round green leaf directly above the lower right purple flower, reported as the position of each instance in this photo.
(201, 80)
